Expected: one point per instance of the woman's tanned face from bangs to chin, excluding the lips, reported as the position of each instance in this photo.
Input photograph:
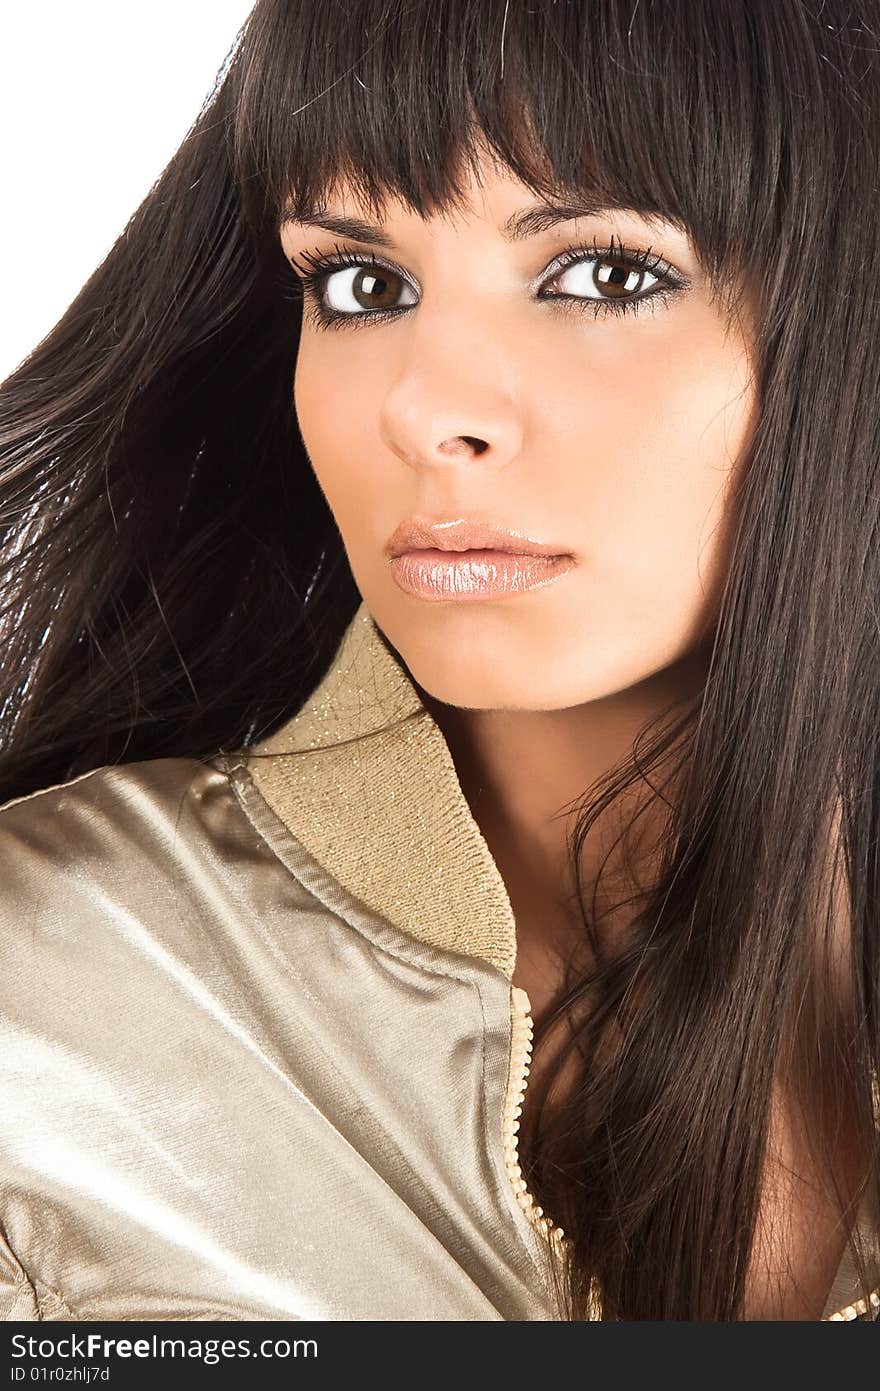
(610, 436)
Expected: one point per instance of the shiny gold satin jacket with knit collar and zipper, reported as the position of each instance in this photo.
(262, 1054)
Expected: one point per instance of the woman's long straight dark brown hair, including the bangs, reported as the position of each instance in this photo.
(173, 581)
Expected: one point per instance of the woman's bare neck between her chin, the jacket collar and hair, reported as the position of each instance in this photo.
(525, 775)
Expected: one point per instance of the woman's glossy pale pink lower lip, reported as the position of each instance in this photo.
(475, 575)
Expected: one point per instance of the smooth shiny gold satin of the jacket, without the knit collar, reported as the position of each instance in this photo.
(229, 1093)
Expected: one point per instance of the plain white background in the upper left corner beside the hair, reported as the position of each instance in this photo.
(95, 99)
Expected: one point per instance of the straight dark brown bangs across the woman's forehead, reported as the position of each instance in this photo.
(689, 112)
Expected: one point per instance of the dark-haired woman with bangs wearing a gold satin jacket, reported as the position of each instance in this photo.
(308, 824)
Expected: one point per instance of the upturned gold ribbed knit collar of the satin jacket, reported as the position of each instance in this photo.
(365, 781)
